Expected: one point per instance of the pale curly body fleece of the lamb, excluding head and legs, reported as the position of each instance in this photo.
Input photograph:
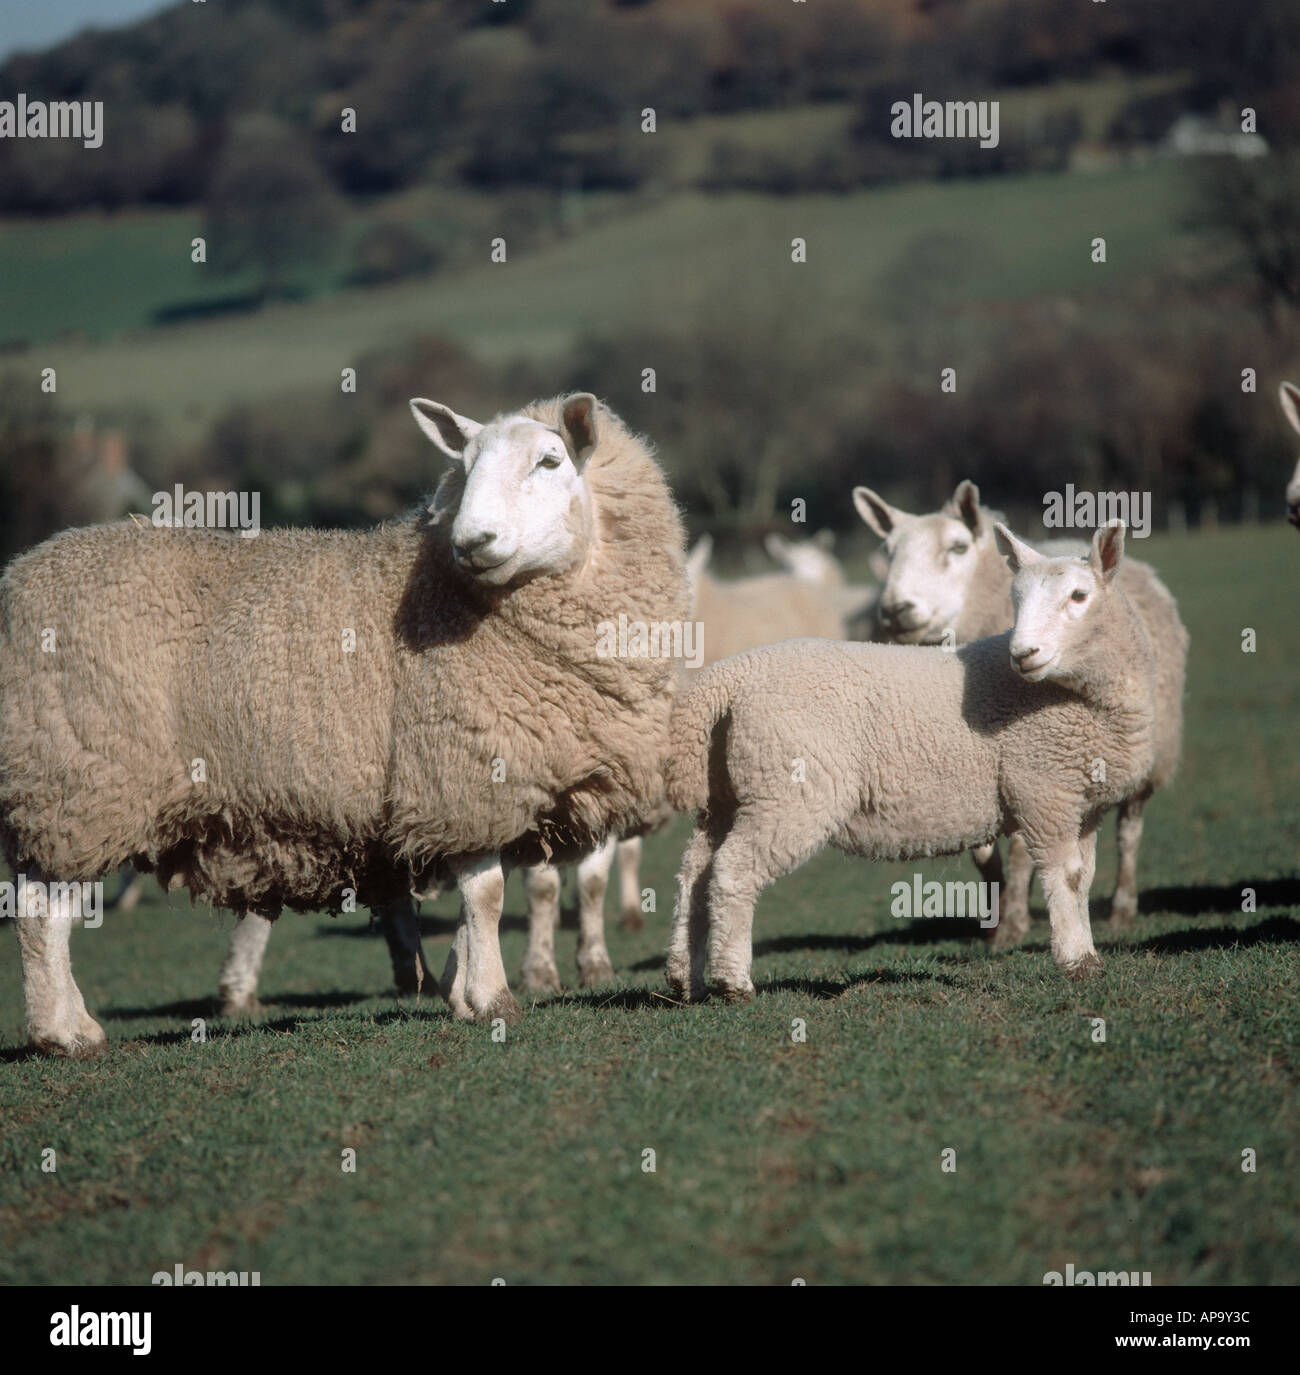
(906, 751)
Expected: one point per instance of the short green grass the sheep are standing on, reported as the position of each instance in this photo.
(774, 1160)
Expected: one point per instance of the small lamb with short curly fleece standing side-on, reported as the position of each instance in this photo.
(900, 753)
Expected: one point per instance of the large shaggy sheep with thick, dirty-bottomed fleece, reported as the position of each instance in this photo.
(270, 723)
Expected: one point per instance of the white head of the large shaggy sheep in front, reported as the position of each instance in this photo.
(525, 508)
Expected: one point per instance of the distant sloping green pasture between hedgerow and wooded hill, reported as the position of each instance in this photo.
(682, 258)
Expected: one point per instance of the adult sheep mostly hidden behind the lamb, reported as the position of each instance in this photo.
(947, 584)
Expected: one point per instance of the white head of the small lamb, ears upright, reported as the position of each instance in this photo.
(1059, 603)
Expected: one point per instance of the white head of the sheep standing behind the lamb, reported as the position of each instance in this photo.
(932, 563)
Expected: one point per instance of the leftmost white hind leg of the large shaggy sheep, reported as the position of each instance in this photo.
(58, 1022)
